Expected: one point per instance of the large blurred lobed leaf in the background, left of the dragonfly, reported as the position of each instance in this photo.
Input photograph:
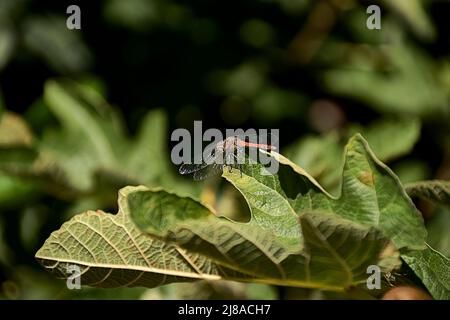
(89, 155)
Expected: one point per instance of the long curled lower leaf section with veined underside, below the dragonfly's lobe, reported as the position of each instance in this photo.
(112, 252)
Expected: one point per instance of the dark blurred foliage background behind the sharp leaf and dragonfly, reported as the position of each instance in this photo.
(85, 112)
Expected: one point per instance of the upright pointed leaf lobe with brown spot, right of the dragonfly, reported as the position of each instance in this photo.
(371, 194)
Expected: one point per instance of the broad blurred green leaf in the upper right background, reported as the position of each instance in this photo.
(406, 84)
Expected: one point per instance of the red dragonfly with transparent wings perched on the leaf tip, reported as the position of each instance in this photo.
(226, 153)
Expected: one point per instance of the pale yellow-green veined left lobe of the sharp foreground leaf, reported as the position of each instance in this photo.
(112, 252)
